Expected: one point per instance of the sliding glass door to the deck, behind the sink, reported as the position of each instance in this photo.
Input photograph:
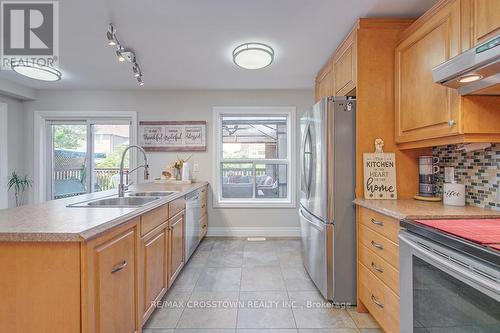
(84, 156)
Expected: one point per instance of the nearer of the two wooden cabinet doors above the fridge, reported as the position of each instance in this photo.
(344, 66)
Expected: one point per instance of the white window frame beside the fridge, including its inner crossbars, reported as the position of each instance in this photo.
(290, 200)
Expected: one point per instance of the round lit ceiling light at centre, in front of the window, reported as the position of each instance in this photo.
(253, 55)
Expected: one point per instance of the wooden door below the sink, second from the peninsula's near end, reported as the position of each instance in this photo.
(155, 267)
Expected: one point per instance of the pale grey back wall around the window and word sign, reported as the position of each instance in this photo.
(184, 105)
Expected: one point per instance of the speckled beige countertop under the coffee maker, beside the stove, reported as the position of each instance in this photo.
(415, 209)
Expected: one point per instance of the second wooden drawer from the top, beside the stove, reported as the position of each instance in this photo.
(383, 247)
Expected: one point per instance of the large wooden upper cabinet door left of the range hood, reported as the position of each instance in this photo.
(425, 109)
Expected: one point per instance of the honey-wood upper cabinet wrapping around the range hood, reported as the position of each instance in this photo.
(426, 113)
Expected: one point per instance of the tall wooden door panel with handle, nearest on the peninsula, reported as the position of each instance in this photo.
(115, 285)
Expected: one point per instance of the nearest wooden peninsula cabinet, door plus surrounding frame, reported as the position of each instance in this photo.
(111, 283)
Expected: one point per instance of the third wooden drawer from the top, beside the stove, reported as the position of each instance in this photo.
(380, 268)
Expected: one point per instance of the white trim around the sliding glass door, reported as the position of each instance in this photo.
(40, 146)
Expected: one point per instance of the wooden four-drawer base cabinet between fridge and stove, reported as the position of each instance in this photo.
(378, 267)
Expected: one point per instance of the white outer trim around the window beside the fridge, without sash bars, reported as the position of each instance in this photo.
(290, 112)
